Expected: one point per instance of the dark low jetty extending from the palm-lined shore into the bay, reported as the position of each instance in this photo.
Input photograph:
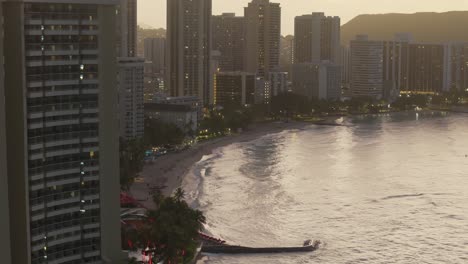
(218, 246)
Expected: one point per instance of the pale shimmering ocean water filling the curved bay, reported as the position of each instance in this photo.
(387, 188)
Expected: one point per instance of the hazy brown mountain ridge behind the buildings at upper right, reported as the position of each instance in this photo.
(425, 27)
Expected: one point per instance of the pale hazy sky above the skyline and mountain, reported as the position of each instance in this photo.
(153, 12)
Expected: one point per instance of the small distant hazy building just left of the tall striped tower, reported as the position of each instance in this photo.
(155, 52)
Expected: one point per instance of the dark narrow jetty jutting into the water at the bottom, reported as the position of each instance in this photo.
(229, 249)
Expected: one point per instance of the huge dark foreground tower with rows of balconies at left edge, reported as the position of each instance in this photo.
(61, 131)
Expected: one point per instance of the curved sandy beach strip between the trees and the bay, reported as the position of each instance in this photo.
(167, 172)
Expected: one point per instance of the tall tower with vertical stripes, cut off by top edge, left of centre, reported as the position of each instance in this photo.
(188, 48)
